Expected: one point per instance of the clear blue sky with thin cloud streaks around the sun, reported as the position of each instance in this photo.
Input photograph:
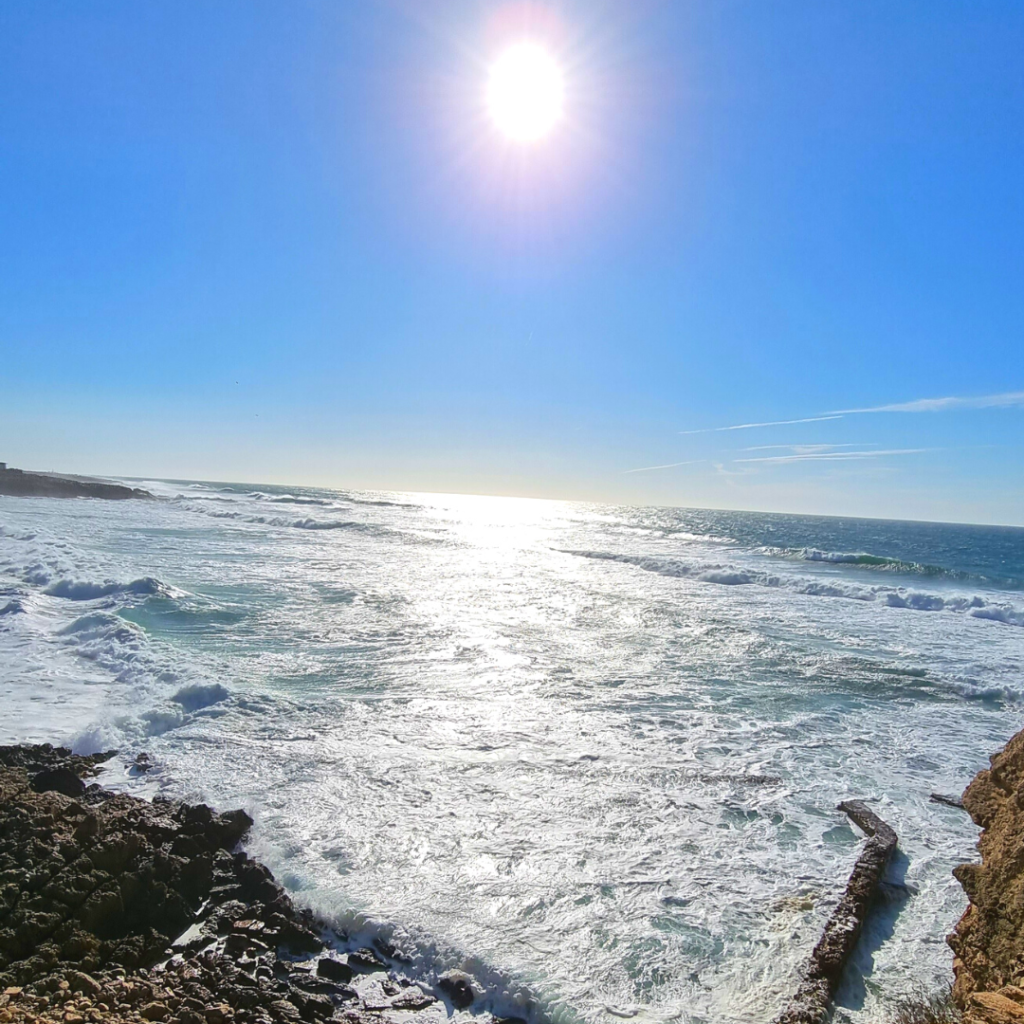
(286, 242)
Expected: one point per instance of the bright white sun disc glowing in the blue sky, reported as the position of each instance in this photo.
(526, 93)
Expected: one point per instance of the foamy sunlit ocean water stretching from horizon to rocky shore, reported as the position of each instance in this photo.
(590, 754)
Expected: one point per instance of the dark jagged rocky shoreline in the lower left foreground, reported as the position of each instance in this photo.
(113, 909)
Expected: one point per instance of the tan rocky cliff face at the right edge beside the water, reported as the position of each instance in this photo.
(989, 943)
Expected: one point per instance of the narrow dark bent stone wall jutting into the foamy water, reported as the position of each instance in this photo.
(825, 969)
